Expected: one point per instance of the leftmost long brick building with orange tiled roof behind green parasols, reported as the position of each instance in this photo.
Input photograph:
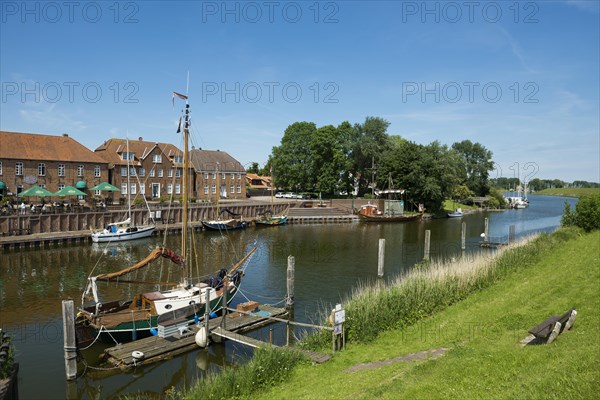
(51, 162)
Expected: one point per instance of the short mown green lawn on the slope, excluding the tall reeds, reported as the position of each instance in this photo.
(482, 334)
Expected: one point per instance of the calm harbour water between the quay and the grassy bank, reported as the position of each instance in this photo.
(330, 260)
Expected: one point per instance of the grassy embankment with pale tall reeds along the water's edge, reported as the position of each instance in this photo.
(478, 310)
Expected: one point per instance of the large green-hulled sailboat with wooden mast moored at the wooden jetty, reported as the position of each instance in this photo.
(147, 312)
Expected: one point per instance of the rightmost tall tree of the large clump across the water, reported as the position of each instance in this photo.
(477, 164)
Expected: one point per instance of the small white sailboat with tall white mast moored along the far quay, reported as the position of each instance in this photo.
(123, 230)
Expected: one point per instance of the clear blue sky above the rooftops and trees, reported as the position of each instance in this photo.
(520, 78)
